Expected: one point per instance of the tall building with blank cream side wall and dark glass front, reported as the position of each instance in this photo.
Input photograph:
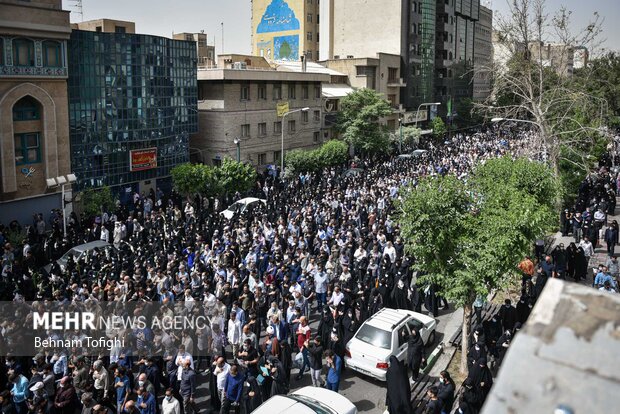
(435, 40)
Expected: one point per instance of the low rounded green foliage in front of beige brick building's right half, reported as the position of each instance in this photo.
(331, 153)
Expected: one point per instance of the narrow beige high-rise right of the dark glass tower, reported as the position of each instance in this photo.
(483, 54)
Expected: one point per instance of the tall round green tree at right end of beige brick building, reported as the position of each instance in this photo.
(358, 121)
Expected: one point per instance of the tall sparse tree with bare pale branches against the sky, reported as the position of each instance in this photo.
(528, 88)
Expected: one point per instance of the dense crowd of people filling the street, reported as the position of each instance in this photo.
(325, 248)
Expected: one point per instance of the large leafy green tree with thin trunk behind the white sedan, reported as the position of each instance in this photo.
(469, 237)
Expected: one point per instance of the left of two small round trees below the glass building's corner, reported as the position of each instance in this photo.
(189, 179)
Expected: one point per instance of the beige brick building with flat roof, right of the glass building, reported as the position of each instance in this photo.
(238, 114)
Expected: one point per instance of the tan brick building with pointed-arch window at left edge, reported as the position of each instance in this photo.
(34, 138)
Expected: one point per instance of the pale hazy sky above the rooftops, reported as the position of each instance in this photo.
(161, 17)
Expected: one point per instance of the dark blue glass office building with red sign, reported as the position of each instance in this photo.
(132, 107)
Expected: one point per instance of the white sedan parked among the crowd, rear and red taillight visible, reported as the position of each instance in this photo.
(385, 334)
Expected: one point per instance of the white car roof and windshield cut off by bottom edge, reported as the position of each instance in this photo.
(307, 400)
